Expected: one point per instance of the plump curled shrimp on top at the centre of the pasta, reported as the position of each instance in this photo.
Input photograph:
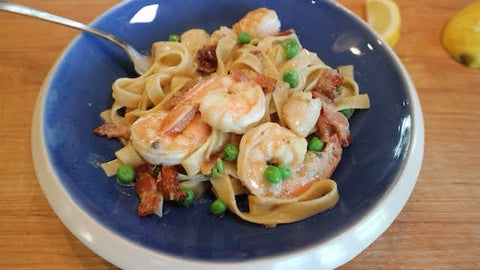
(233, 106)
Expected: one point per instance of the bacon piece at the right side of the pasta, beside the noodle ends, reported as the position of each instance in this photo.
(332, 122)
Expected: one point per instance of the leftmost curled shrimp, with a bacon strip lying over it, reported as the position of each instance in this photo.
(159, 147)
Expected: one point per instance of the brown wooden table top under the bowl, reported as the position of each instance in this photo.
(438, 228)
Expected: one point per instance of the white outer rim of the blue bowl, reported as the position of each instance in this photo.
(328, 254)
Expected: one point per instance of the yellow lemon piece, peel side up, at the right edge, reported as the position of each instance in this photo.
(461, 36)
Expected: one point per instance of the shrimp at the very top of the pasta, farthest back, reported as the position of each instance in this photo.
(259, 23)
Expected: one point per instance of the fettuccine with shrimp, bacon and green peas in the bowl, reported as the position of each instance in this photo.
(245, 111)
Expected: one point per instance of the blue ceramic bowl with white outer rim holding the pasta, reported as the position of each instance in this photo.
(375, 177)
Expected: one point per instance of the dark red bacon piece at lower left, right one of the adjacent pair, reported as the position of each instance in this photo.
(167, 184)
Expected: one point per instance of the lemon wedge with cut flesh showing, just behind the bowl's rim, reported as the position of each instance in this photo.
(384, 17)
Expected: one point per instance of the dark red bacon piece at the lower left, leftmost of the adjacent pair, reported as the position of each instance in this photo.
(146, 189)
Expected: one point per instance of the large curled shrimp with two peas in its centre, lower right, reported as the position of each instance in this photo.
(272, 143)
